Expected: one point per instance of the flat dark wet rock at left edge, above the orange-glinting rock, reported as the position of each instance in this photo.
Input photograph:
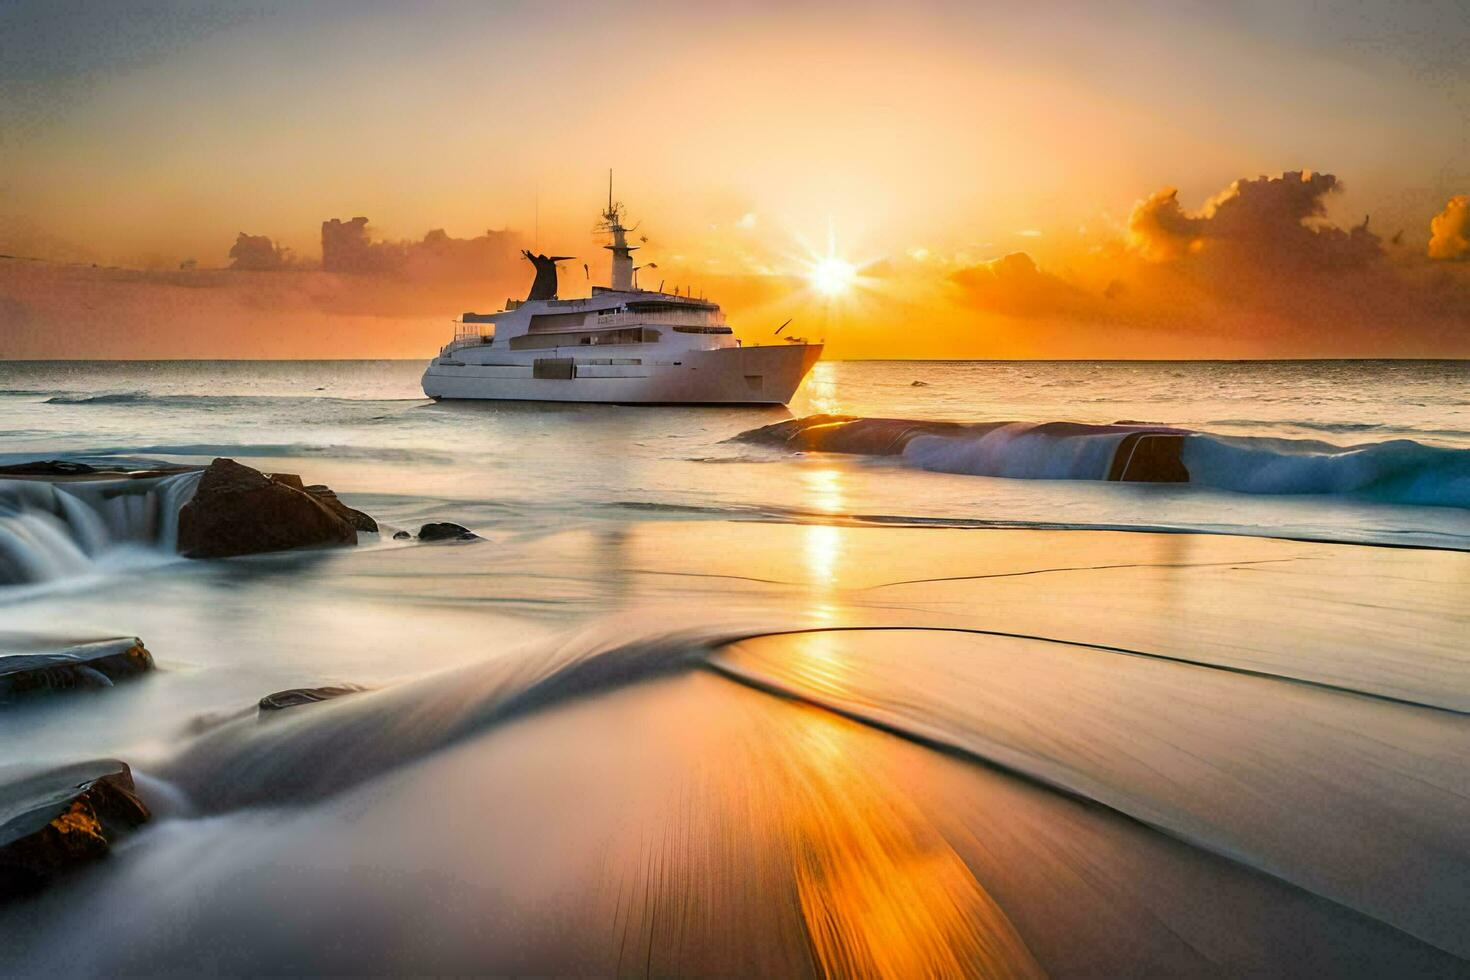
(33, 665)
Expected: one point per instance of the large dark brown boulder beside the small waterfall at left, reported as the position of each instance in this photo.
(239, 511)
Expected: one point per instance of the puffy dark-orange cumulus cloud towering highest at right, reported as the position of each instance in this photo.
(1272, 221)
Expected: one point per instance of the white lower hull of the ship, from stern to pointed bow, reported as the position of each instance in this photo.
(727, 377)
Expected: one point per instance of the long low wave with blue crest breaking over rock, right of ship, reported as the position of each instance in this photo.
(1397, 472)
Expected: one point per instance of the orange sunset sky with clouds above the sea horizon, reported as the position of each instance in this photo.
(922, 143)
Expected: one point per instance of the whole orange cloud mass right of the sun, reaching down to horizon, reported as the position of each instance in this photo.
(1259, 270)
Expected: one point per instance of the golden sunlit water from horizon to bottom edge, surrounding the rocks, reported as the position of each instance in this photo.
(699, 705)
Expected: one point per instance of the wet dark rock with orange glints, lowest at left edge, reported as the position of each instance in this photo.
(55, 819)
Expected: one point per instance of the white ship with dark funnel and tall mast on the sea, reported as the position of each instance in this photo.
(621, 345)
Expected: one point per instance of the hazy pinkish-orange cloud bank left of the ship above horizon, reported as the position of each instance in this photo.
(376, 299)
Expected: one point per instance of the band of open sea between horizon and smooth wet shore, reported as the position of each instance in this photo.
(1330, 450)
